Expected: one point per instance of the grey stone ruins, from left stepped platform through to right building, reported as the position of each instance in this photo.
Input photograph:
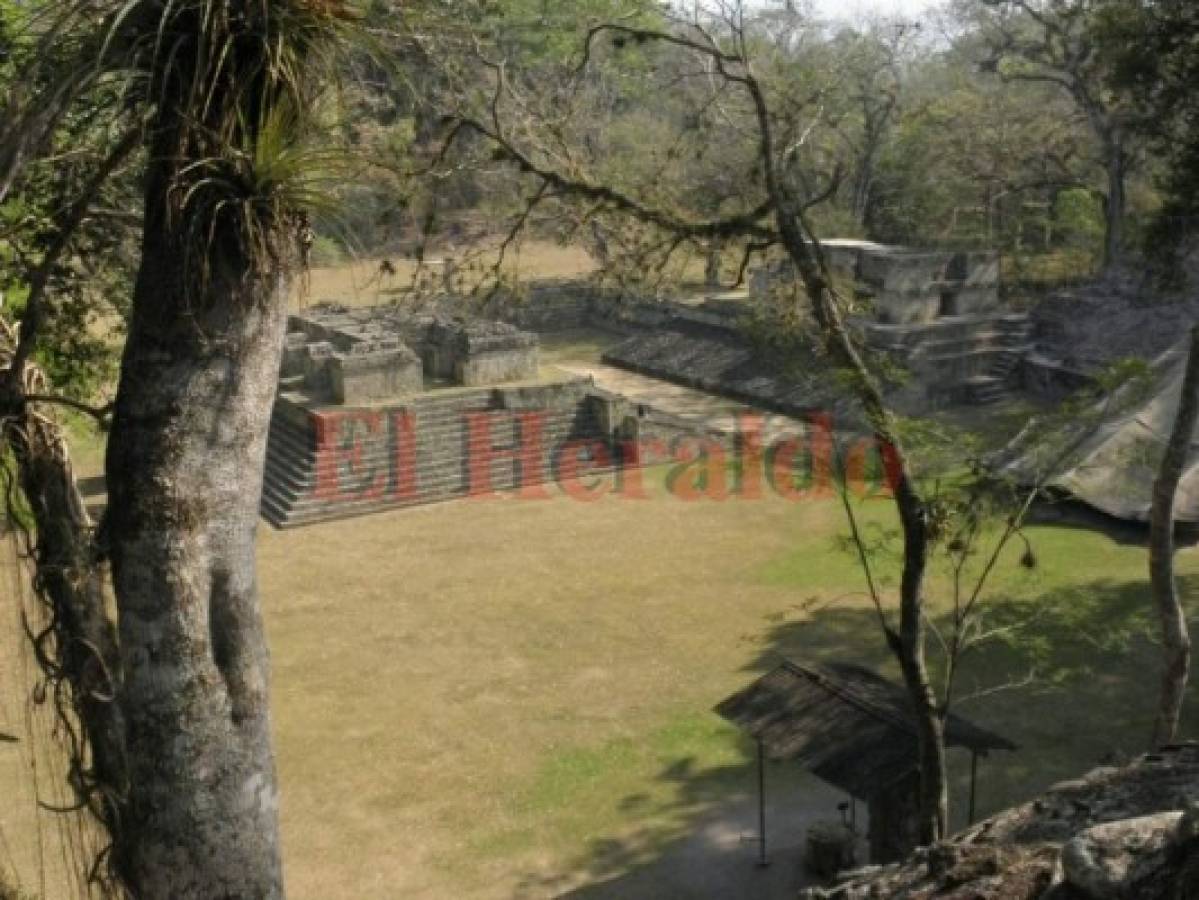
(385, 407)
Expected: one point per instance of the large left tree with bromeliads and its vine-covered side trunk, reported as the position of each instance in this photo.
(220, 95)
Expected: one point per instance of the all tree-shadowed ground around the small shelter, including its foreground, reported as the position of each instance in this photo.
(1092, 648)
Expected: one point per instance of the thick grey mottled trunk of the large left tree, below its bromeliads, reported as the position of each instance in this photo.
(185, 470)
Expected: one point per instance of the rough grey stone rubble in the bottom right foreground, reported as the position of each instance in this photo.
(1126, 833)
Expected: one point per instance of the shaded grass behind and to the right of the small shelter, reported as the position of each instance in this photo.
(1073, 680)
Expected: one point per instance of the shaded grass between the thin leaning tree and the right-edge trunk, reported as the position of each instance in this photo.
(1093, 649)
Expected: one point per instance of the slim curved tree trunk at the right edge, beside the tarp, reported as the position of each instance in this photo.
(1176, 638)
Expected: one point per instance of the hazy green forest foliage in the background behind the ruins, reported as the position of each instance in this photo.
(930, 149)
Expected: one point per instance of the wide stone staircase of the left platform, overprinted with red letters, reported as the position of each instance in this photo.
(424, 451)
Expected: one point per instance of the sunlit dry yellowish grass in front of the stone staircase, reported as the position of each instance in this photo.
(466, 693)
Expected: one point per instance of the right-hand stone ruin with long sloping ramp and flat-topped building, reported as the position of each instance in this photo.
(937, 315)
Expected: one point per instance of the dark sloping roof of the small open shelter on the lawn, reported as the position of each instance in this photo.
(845, 723)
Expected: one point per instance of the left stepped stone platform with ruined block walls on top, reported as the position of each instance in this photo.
(379, 409)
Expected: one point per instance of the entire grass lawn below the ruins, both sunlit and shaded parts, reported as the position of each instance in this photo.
(499, 699)
